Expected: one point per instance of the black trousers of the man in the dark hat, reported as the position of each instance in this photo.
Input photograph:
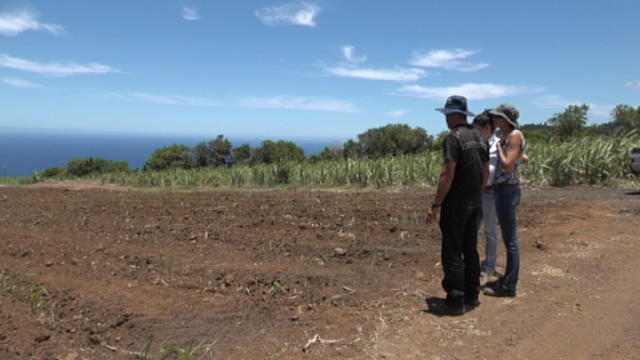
(460, 259)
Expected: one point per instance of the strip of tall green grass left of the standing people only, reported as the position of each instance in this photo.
(399, 171)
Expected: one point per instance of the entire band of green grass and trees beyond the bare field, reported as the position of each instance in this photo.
(563, 151)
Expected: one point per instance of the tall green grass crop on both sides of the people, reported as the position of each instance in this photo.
(590, 160)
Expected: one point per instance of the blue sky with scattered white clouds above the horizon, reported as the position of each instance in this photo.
(318, 69)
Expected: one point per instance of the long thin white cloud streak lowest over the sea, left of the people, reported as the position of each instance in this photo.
(277, 102)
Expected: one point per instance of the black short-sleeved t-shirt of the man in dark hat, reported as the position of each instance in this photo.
(465, 146)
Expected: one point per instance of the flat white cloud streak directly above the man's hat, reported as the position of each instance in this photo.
(471, 91)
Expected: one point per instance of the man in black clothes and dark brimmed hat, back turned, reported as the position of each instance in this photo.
(459, 198)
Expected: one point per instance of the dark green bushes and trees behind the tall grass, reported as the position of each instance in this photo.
(385, 141)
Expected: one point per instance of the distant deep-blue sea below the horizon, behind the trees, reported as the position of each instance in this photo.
(23, 153)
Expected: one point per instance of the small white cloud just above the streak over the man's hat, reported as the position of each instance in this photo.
(447, 59)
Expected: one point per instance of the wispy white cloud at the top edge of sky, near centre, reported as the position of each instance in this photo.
(300, 13)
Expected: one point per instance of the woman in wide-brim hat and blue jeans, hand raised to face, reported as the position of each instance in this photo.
(506, 186)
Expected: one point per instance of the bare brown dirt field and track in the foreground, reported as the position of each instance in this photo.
(109, 273)
